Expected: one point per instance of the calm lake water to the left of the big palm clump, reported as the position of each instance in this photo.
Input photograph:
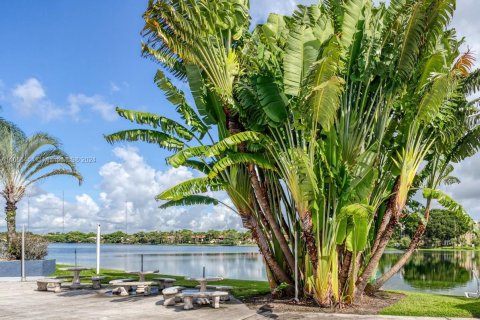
(227, 261)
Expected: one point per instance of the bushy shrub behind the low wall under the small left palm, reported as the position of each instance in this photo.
(36, 248)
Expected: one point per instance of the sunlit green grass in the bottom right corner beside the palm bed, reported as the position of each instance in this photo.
(434, 305)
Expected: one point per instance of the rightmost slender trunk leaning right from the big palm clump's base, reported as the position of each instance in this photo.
(406, 255)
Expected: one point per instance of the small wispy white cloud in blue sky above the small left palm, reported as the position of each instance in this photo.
(30, 99)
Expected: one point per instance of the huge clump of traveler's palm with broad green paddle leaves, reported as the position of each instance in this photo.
(324, 121)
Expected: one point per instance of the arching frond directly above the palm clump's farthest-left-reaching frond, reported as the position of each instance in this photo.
(156, 121)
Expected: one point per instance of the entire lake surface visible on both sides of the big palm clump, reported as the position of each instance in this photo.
(436, 272)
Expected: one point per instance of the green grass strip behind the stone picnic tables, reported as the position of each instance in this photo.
(241, 288)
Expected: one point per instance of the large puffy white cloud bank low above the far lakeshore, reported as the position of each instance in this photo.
(127, 183)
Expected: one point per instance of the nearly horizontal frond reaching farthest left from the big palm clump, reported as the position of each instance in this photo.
(150, 136)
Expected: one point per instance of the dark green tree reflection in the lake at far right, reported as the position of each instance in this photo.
(437, 270)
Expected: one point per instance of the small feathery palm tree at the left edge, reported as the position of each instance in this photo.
(25, 160)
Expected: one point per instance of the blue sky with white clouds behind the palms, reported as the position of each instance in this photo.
(65, 65)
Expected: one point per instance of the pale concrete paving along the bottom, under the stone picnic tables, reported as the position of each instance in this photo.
(20, 300)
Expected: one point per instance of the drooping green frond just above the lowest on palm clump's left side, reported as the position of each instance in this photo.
(190, 187)
